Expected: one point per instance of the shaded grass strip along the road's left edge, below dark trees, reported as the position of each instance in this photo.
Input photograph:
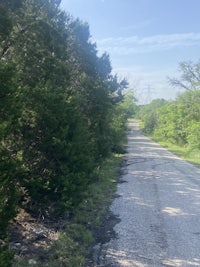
(77, 238)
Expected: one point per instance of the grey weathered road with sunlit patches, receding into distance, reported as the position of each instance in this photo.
(158, 205)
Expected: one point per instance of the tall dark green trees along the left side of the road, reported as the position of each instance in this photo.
(61, 109)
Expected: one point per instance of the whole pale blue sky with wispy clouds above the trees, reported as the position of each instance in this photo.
(146, 39)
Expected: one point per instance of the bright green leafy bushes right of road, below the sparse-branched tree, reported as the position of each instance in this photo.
(179, 121)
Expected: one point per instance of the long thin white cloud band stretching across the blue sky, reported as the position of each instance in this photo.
(136, 44)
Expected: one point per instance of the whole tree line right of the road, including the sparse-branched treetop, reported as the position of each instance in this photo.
(177, 121)
